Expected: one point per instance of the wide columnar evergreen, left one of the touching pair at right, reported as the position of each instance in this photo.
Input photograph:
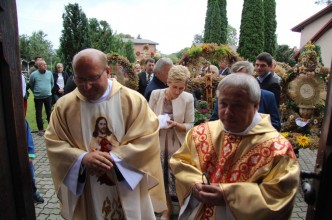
(251, 30)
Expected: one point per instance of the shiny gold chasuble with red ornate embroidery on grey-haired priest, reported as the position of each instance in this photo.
(258, 172)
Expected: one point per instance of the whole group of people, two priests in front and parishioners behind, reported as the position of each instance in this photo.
(124, 154)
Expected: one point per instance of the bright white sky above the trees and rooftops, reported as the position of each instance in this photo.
(170, 23)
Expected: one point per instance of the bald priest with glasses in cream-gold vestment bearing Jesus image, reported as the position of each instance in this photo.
(77, 169)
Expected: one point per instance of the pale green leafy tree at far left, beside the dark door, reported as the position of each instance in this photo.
(36, 45)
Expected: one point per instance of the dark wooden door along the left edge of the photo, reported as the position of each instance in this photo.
(15, 181)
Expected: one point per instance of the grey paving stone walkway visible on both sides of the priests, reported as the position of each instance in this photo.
(50, 208)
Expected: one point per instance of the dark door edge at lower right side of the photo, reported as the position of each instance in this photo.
(321, 209)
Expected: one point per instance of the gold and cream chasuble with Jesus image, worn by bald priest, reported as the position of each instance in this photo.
(136, 130)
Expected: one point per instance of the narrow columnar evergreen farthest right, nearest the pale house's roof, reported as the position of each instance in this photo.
(270, 26)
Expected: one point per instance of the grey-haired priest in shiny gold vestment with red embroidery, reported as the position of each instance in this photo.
(238, 167)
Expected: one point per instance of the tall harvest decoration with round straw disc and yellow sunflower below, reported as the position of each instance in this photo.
(303, 97)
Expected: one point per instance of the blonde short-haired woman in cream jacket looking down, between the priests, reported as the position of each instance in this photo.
(175, 109)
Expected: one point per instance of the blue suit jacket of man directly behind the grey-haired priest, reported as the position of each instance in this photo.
(267, 105)
